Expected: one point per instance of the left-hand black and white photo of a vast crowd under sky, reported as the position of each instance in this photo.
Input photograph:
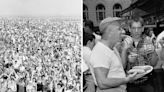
(40, 45)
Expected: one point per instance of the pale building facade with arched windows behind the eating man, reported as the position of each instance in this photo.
(97, 10)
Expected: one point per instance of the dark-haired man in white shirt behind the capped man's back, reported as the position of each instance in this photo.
(88, 44)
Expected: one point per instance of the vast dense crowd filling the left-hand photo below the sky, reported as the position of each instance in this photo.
(38, 54)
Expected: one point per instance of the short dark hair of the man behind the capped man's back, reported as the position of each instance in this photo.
(87, 37)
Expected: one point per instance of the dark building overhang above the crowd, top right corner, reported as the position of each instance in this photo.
(152, 11)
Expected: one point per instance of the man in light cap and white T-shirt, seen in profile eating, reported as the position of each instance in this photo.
(108, 68)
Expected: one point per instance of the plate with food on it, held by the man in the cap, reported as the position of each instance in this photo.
(141, 70)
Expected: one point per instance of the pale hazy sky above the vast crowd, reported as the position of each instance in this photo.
(40, 7)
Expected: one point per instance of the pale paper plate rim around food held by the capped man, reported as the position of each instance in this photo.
(147, 69)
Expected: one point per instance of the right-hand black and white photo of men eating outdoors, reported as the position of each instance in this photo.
(123, 46)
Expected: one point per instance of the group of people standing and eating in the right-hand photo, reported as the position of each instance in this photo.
(121, 47)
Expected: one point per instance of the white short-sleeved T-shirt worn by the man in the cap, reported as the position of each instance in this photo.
(102, 56)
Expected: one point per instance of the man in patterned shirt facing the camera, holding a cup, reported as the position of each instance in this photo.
(139, 51)
